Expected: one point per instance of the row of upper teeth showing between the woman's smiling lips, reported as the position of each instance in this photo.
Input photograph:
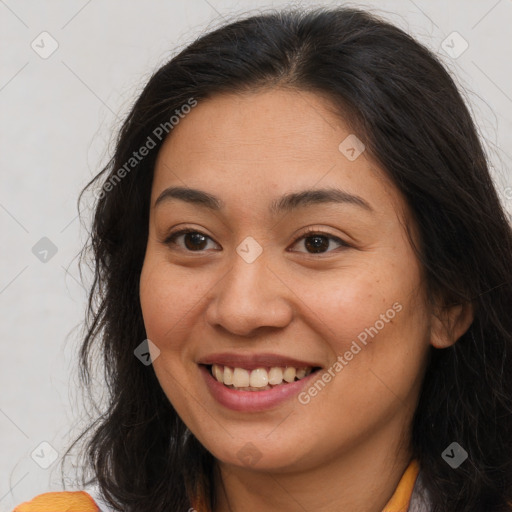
(258, 379)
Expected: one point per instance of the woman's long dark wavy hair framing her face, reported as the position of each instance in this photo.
(403, 104)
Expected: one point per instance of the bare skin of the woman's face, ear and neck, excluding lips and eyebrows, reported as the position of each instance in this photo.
(348, 447)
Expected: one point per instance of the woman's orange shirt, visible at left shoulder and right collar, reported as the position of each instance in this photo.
(81, 501)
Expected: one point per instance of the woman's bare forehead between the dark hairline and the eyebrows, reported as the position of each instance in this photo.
(254, 146)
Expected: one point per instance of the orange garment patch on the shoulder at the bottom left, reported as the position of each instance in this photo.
(63, 501)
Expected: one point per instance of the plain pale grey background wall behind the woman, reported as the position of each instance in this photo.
(58, 115)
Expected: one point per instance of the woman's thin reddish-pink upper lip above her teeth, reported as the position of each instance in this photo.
(252, 361)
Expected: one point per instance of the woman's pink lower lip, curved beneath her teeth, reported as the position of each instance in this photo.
(253, 401)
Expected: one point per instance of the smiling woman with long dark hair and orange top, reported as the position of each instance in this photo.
(304, 277)
